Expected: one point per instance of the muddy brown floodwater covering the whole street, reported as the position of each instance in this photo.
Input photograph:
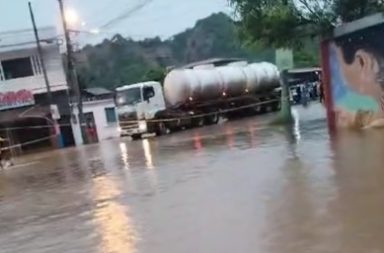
(236, 187)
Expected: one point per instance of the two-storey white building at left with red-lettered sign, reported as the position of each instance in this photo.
(23, 92)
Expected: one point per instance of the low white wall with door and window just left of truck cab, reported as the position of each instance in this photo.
(105, 130)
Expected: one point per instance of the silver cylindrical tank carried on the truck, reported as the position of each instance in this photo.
(205, 84)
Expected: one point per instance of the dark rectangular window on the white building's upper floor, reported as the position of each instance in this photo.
(17, 68)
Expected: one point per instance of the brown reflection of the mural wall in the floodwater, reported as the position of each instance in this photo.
(359, 176)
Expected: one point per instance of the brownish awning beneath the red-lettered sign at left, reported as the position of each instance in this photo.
(23, 113)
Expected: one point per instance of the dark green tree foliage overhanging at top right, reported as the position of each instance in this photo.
(286, 23)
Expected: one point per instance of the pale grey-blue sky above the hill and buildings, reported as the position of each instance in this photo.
(162, 18)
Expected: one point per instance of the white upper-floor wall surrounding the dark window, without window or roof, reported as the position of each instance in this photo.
(36, 83)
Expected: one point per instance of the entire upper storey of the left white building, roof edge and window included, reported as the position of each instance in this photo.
(20, 66)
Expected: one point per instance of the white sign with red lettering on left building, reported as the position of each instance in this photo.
(15, 99)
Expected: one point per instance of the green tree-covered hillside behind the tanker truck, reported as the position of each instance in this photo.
(119, 60)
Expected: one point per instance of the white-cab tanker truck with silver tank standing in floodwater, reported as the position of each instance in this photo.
(197, 97)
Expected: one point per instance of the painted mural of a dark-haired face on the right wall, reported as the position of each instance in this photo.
(356, 63)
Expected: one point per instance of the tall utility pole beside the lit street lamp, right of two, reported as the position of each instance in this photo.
(72, 75)
